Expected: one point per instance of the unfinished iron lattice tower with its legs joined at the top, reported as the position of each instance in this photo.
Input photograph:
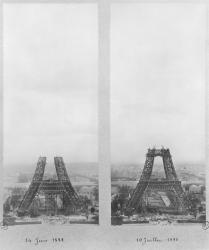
(170, 183)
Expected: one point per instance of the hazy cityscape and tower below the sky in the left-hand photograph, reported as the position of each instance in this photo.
(76, 203)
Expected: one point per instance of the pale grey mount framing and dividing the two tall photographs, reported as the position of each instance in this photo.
(106, 236)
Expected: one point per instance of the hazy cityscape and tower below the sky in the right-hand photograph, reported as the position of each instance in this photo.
(137, 198)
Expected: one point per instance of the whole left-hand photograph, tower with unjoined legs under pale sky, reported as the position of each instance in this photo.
(50, 114)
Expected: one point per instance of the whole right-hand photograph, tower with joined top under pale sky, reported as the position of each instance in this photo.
(158, 113)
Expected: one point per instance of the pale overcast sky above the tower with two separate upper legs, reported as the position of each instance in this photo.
(50, 82)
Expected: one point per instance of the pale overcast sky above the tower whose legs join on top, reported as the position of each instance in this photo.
(157, 80)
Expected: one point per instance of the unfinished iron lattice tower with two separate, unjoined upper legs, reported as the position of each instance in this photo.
(49, 187)
